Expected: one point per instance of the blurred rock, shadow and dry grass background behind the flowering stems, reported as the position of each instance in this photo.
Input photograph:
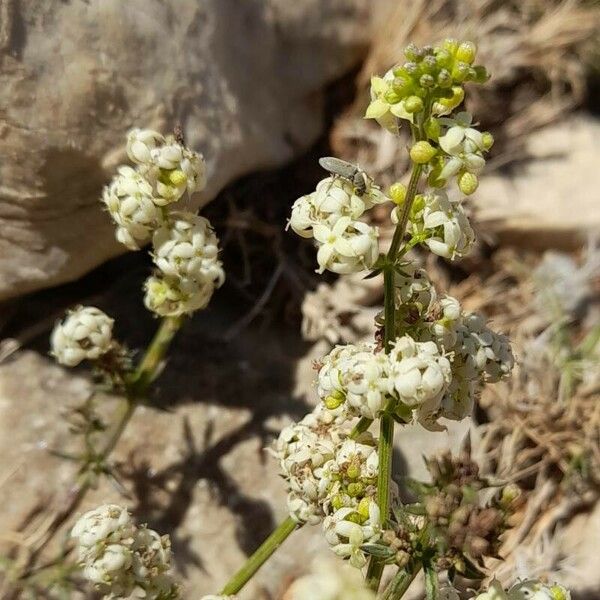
(263, 88)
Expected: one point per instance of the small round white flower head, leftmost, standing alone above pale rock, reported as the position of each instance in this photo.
(86, 333)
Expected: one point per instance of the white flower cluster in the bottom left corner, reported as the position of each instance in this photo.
(122, 560)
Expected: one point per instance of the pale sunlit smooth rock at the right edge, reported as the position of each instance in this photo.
(550, 200)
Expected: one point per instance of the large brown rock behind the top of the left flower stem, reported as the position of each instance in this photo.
(243, 78)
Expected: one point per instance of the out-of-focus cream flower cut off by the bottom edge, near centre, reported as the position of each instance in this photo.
(328, 580)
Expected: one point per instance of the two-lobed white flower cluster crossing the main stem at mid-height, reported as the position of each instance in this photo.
(363, 379)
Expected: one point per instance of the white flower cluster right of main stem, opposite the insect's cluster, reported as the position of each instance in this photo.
(441, 224)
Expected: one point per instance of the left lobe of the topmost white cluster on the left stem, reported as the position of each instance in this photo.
(133, 207)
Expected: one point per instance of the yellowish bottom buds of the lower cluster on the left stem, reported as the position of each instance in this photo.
(171, 298)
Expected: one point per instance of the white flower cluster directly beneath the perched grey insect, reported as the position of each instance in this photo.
(331, 216)
